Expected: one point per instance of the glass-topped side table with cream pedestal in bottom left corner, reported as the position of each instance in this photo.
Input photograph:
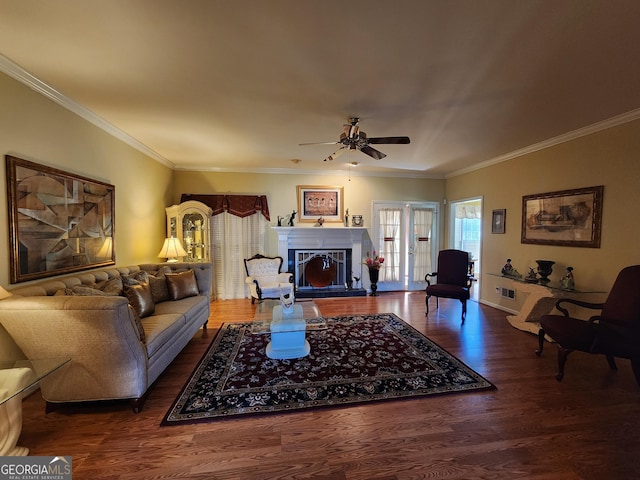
(16, 377)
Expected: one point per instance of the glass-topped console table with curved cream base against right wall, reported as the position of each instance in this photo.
(541, 300)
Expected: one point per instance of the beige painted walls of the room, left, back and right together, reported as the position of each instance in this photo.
(37, 129)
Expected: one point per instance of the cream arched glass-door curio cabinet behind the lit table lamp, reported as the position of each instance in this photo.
(190, 222)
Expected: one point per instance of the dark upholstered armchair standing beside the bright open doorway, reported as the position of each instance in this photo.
(454, 280)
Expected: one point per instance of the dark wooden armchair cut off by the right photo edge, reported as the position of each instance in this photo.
(615, 332)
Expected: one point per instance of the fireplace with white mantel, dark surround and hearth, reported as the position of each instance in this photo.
(324, 260)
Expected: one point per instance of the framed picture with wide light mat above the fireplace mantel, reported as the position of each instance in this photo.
(320, 201)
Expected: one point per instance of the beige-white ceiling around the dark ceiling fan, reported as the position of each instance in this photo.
(237, 85)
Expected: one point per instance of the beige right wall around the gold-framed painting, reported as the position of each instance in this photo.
(608, 158)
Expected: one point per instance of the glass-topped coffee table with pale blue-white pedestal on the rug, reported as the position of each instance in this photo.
(288, 327)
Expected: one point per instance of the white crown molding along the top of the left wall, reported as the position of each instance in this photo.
(18, 73)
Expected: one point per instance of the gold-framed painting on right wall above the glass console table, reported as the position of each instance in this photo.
(567, 218)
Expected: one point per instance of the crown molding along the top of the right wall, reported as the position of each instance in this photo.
(565, 137)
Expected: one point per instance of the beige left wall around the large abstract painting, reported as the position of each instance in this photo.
(35, 128)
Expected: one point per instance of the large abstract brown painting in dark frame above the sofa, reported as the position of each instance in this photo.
(59, 222)
